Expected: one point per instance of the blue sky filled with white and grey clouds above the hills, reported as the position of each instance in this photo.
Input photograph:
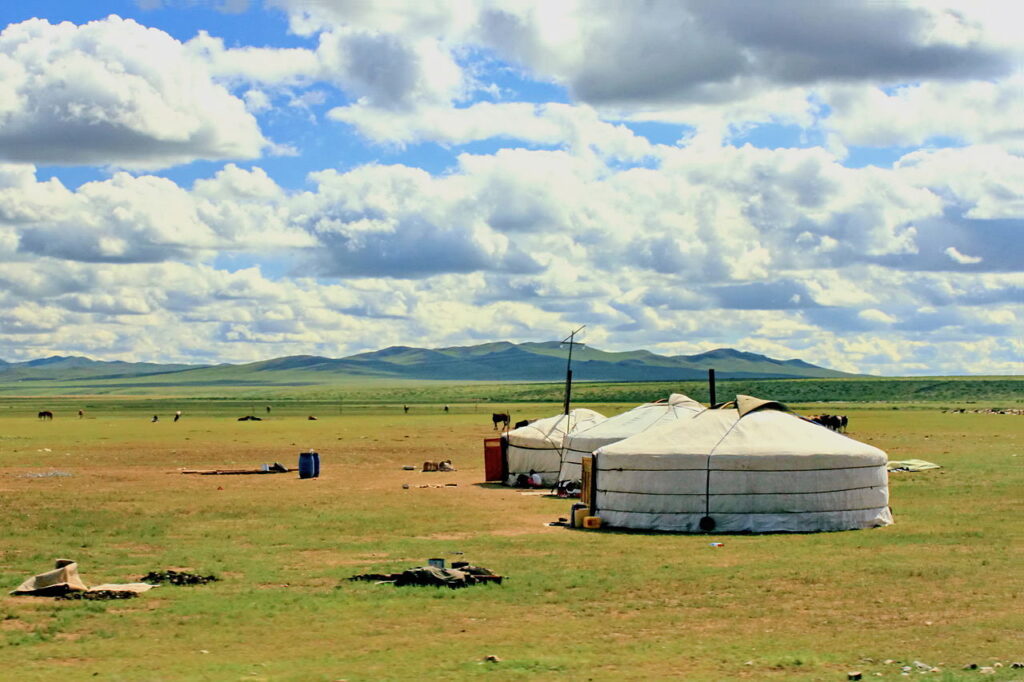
(232, 181)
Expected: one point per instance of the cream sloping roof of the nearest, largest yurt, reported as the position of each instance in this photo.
(753, 429)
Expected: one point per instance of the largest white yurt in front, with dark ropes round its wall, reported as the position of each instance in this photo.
(752, 468)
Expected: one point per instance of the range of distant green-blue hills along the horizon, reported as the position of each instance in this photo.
(490, 362)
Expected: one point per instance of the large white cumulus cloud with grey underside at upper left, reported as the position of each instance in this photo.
(114, 93)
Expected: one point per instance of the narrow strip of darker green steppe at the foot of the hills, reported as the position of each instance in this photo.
(280, 387)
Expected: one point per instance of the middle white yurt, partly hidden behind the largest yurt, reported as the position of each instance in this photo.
(585, 442)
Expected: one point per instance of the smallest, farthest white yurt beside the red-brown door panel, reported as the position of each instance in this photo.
(538, 447)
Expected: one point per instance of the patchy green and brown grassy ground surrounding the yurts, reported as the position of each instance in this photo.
(945, 585)
